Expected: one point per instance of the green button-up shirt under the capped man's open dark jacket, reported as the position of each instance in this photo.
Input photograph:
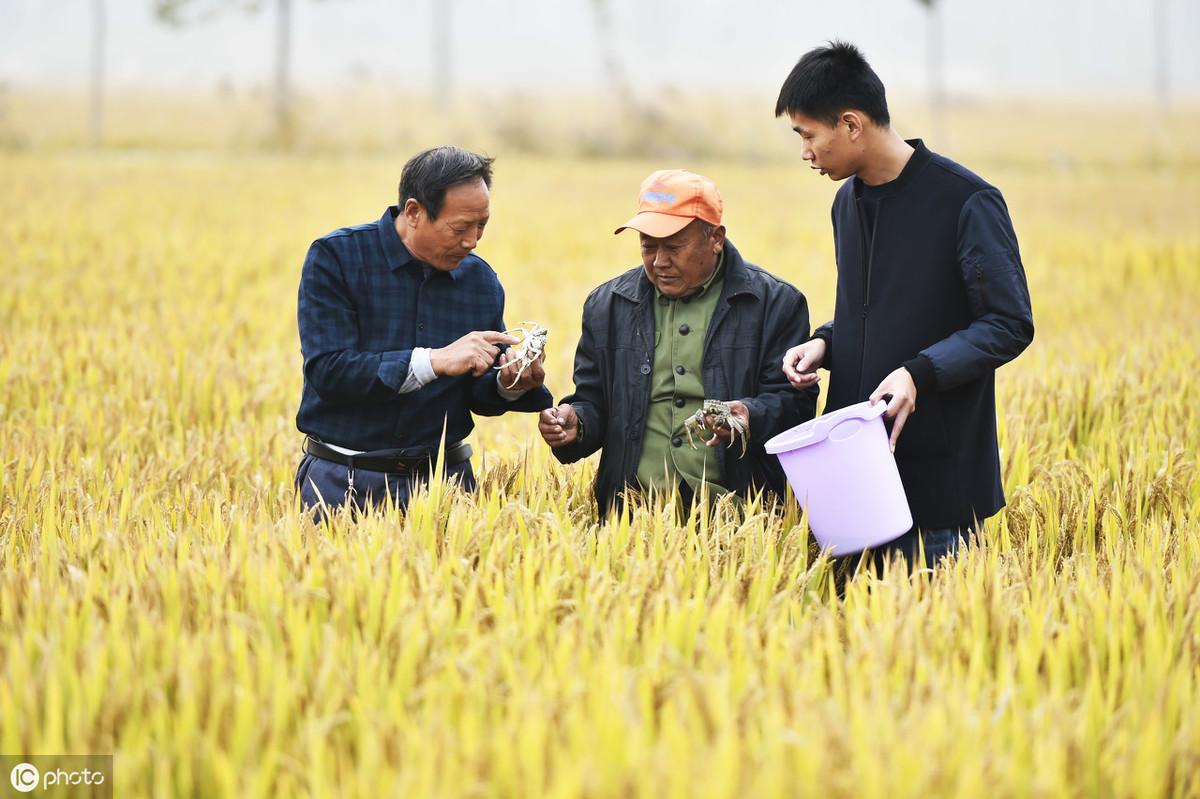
(677, 392)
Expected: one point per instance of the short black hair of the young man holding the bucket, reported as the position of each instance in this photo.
(829, 81)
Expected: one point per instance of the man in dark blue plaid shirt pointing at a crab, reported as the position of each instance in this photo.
(400, 328)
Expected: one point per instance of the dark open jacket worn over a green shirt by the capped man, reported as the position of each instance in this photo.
(758, 319)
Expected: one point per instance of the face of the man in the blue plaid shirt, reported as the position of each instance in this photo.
(443, 243)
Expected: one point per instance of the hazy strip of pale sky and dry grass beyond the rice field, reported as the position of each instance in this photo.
(592, 79)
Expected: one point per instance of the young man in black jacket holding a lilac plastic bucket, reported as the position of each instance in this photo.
(932, 297)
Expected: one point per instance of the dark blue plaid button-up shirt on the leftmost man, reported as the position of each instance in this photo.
(365, 303)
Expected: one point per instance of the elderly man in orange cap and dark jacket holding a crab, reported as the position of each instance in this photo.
(693, 323)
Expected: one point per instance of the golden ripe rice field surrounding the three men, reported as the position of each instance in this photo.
(164, 599)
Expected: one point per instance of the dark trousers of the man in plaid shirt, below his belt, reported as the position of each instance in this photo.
(325, 485)
